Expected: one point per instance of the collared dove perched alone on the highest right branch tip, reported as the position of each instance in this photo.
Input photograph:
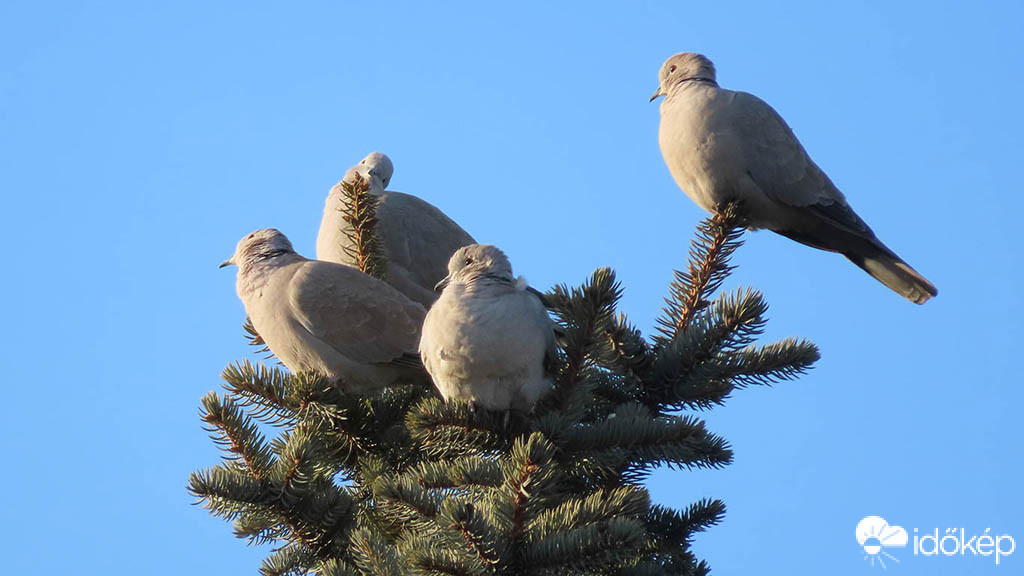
(723, 146)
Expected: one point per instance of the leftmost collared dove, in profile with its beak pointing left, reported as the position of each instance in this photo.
(325, 317)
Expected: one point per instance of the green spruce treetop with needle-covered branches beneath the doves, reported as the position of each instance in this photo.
(400, 482)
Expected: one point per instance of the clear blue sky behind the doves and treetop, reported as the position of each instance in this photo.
(140, 141)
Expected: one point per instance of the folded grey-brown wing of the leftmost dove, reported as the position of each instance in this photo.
(361, 317)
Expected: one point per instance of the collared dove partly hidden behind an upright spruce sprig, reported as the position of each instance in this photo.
(417, 238)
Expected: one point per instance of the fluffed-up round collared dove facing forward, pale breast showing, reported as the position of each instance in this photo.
(489, 340)
